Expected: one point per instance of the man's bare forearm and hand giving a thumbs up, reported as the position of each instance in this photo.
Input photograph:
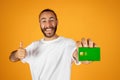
(17, 55)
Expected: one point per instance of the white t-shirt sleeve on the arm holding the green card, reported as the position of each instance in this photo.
(71, 49)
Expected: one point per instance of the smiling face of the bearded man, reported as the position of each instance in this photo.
(48, 23)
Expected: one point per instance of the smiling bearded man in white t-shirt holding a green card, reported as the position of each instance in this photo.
(50, 58)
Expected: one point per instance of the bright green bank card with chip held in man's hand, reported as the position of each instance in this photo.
(89, 54)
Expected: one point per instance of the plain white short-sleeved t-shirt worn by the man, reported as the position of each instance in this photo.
(50, 60)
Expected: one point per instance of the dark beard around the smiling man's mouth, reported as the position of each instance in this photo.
(49, 35)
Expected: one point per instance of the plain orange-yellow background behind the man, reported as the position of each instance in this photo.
(95, 19)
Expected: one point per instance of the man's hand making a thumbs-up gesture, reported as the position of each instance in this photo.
(21, 52)
